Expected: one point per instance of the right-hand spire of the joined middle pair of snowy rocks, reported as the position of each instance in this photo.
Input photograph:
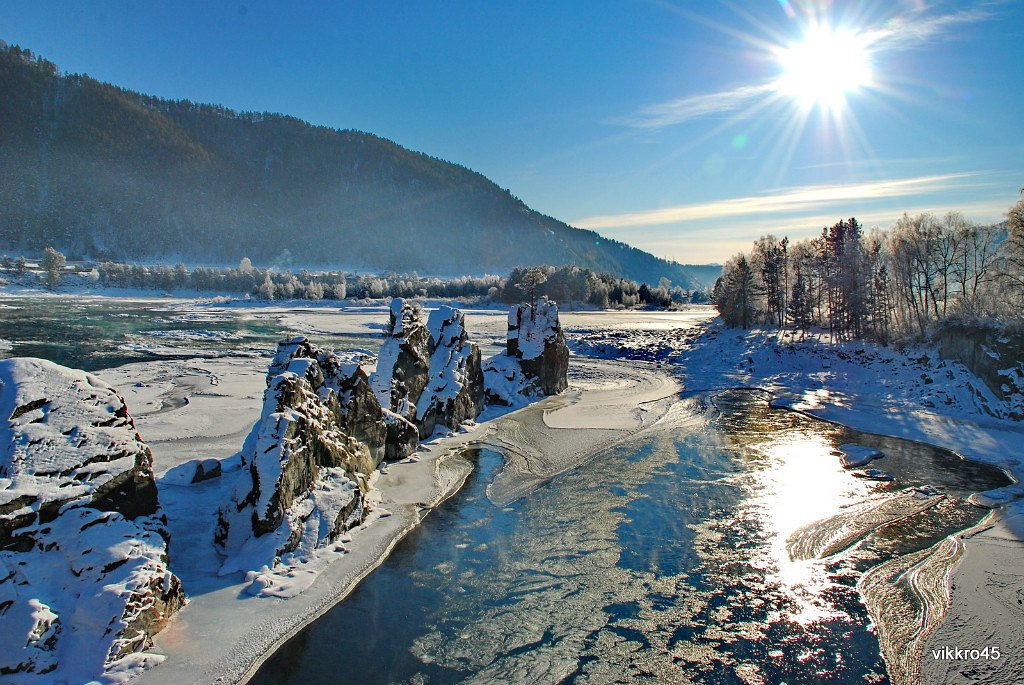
(455, 391)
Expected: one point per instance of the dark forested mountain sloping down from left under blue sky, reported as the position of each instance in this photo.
(104, 173)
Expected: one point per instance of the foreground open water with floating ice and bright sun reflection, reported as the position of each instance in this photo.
(663, 560)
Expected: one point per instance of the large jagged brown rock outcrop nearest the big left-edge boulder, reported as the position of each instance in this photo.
(305, 467)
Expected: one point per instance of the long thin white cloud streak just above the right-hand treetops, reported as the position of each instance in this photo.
(786, 201)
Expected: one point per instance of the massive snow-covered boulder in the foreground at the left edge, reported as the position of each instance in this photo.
(84, 582)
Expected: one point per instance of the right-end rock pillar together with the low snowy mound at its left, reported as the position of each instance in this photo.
(536, 340)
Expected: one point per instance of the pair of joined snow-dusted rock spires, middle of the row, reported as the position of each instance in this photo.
(430, 374)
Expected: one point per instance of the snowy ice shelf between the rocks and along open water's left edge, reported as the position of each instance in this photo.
(202, 409)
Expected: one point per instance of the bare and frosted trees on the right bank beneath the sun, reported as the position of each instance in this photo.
(879, 285)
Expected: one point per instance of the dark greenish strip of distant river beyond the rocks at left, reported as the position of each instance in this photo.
(100, 333)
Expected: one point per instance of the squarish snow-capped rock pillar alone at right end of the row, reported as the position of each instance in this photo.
(536, 339)
